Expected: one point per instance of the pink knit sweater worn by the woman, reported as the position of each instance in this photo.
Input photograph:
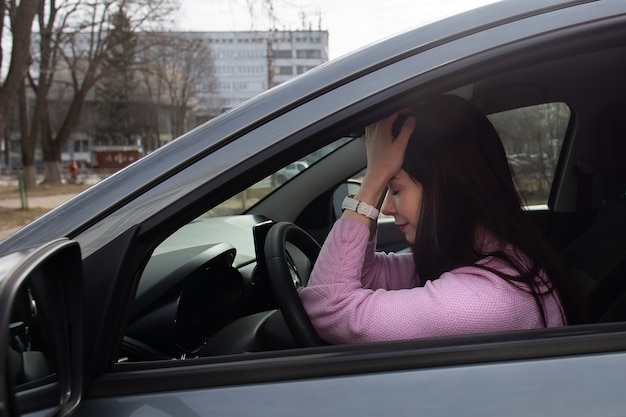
(357, 295)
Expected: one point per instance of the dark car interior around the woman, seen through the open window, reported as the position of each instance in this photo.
(206, 289)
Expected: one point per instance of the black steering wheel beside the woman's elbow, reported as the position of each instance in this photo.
(285, 279)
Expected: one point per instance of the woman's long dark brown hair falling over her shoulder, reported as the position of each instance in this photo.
(457, 156)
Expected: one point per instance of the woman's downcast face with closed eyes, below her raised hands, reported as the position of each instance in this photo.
(404, 202)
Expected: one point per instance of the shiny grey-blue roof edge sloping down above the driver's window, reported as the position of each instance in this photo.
(87, 208)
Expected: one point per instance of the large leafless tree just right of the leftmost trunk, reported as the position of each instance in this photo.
(75, 38)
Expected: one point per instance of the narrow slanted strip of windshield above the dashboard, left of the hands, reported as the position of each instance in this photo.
(242, 201)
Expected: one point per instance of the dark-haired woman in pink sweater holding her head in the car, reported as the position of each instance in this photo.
(477, 263)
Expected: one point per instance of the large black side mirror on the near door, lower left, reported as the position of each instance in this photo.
(41, 329)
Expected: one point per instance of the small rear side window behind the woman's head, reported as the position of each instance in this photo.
(532, 138)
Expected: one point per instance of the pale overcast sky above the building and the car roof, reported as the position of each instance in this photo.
(351, 24)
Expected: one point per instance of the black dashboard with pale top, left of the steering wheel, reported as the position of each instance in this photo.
(205, 292)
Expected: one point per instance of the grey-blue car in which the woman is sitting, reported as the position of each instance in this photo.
(174, 316)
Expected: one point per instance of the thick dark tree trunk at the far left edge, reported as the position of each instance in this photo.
(20, 18)
